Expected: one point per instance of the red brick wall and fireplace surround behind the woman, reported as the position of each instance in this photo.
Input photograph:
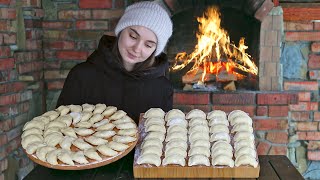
(40, 41)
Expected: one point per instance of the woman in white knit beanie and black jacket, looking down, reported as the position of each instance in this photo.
(127, 71)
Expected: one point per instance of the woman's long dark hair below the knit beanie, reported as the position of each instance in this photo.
(138, 67)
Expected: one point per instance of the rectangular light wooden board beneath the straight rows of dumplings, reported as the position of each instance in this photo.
(176, 171)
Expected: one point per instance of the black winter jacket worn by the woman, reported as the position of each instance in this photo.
(101, 79)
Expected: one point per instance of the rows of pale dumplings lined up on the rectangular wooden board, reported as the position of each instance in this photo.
(196, 126)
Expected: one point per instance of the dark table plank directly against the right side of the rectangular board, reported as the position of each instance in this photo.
(266, 171)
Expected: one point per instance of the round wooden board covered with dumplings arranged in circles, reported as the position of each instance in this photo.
(75, 137)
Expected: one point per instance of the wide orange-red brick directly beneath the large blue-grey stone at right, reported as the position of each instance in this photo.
(301, 86)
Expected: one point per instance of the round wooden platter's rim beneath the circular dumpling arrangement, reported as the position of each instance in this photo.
(92, 163)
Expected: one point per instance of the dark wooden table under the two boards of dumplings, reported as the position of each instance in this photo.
(272, 168)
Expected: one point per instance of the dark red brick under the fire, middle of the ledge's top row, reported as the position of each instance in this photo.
(234, 99)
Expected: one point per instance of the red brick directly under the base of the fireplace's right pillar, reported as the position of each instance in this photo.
(277, 99)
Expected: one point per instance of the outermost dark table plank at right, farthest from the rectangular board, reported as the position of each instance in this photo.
(284, 168)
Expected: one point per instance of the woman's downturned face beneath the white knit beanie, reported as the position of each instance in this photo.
(136, 44)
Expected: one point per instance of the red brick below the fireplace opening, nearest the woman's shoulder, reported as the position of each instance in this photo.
(191, 98)
